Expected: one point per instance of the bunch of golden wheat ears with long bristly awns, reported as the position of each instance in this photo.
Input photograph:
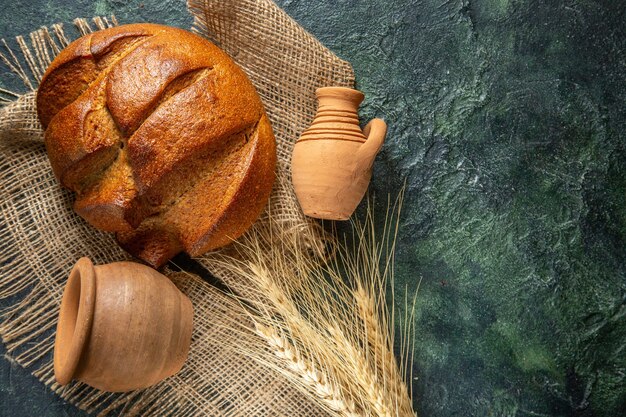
(324, 325)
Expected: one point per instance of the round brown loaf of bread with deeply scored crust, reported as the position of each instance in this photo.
(162, 137)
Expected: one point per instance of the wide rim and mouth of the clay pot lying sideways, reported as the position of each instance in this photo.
(75, 320)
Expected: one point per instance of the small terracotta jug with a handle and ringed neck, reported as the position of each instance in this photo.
(332, 161)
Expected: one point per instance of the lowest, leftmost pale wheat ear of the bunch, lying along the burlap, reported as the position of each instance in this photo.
(314, 379)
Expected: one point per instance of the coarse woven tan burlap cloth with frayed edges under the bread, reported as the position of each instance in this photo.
(41, 237)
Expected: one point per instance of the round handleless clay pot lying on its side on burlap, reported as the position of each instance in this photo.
(122, 326)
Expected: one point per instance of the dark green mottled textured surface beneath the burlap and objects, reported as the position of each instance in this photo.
(507, 121)
